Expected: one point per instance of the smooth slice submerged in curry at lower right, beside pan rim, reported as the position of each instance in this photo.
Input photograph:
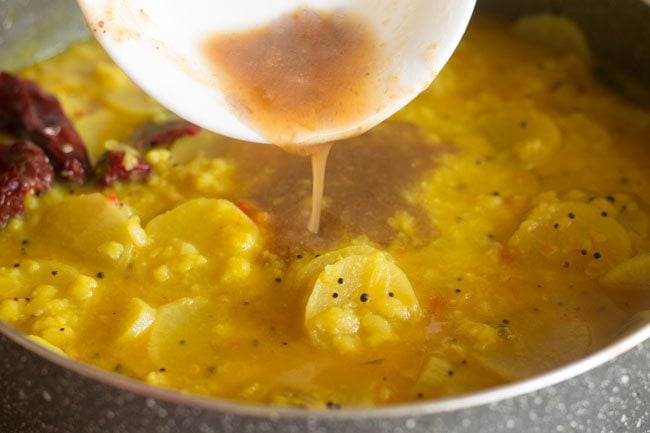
(537, 341)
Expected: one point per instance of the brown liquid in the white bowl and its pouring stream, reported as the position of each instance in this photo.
(305, 72)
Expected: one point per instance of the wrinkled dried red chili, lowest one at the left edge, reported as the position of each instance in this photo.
(24, 168)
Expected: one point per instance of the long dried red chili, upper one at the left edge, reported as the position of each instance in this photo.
(26, 111)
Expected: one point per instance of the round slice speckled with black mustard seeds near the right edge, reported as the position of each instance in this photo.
(573, 235)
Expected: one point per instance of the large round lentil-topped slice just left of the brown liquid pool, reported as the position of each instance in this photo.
(208, 243)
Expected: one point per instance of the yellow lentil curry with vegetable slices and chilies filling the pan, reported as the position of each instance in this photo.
(484, 234)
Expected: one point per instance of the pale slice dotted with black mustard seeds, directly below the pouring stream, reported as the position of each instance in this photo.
(360, 300)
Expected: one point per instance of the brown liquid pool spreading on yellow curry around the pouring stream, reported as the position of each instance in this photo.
(361, 197)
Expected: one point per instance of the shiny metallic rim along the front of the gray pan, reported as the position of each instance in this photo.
(617, 347)
